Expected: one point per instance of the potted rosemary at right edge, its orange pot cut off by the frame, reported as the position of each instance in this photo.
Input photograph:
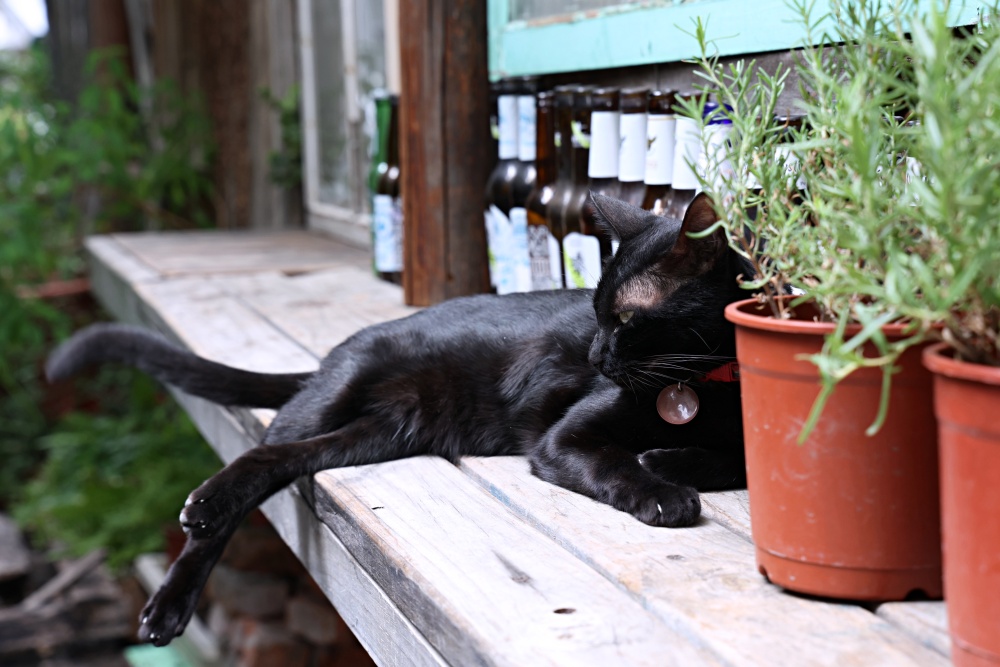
(952, 271)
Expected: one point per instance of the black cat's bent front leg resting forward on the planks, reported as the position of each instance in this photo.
(581, 452)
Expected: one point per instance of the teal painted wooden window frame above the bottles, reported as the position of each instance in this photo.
(649, 32)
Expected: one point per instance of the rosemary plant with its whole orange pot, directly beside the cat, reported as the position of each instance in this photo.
(838, 420)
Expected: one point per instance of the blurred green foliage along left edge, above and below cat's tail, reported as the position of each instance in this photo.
(120, 159)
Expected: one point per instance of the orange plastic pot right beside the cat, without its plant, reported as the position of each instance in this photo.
(842, 515)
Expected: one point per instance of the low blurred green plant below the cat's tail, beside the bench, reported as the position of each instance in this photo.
(113, 481)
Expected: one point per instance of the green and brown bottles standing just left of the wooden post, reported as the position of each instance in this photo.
(387, 204)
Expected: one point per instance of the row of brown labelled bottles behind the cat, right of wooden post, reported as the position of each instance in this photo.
(554, 148)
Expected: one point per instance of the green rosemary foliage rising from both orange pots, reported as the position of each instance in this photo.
(889, 212)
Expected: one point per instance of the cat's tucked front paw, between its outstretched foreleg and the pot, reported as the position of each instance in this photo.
(704, 469)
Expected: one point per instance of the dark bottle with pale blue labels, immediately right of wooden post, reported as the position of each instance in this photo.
(499, 194)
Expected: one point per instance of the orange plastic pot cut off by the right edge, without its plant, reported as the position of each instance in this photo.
(967, 403)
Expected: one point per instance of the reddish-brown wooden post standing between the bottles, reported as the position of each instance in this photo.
(444, 147)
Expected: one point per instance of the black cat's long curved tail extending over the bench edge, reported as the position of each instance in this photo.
(168, 363)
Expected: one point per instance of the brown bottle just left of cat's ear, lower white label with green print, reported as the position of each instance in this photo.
(583, 250)
